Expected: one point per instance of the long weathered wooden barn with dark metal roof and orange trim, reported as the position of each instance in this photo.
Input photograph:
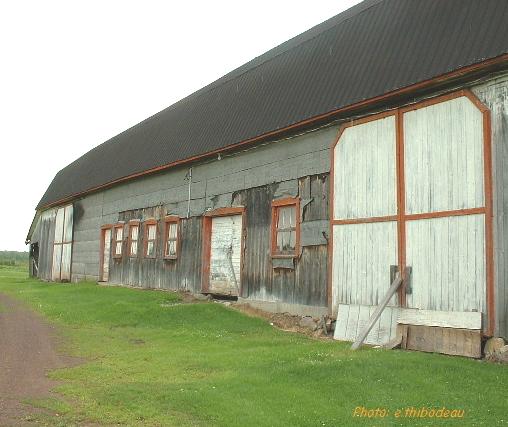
(372, 146)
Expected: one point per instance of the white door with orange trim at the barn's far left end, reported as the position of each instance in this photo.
(62, 244)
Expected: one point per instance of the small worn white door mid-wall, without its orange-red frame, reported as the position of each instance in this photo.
(225, 255)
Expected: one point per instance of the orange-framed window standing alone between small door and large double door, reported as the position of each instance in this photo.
(285, 227)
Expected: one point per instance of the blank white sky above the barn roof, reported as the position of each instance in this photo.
(74, 74)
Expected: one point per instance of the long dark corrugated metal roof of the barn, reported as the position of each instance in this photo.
(375, 47)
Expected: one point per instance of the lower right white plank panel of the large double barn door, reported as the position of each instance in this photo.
(447, 257)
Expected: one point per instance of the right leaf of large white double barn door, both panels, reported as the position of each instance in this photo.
(445, 206)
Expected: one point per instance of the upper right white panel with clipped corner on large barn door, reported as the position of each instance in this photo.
(443, 156)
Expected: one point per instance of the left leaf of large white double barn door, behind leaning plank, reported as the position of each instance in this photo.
(364, 223)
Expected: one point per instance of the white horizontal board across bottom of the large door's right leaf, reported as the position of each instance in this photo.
(447, 319)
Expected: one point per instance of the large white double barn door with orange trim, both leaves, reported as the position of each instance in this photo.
(411, 188)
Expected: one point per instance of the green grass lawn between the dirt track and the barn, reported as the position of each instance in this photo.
(153, 361)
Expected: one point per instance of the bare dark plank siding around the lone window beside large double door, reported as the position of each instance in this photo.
(300, 281)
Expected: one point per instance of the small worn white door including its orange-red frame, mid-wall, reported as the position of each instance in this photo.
(223, 251)
